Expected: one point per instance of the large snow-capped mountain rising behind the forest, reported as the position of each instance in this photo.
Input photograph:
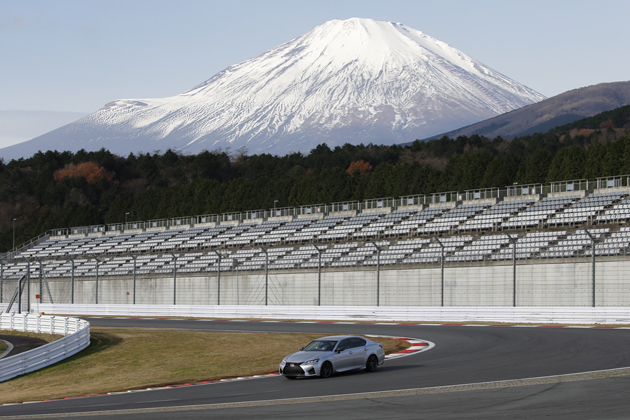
(355, 80)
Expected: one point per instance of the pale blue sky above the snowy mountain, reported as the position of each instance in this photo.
(75, 56)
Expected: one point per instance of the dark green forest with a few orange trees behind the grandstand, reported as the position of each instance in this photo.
(63, 189)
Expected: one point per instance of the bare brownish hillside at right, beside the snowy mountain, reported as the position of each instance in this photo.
(550, 113)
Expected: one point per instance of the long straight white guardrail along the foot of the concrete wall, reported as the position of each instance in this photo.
(457, 314)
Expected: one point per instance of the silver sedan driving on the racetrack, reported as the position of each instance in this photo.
(328, 355)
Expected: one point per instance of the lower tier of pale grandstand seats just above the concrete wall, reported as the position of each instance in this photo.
(551, 244)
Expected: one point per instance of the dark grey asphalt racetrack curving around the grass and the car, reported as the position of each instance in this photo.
(401, 388)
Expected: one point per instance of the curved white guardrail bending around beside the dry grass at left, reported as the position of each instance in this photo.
(77, 337)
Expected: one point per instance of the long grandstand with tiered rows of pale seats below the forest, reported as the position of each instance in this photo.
(564, 220)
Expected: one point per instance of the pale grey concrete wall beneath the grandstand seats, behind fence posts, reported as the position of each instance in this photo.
(538, 283)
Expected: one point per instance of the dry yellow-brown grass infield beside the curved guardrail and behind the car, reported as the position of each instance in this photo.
(122, 359)
